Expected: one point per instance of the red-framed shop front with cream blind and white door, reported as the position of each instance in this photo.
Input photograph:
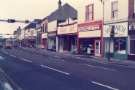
(90, 38)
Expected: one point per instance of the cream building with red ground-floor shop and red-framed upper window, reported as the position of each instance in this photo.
(90, 35)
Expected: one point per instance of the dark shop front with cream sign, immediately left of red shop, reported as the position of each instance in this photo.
(67, 37)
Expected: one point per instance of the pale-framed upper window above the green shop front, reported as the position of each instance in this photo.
(114, 12)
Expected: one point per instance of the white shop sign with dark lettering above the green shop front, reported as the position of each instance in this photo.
(120, 30)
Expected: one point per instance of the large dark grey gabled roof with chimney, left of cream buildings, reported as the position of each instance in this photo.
(61, 14)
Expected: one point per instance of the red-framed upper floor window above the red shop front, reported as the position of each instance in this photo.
(89, 12)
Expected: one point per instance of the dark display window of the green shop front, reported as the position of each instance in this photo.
(120, 45)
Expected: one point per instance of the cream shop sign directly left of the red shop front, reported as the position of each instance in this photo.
(67, 29)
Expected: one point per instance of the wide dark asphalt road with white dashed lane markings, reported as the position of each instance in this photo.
(32, 71)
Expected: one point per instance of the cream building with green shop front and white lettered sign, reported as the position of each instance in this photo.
(116, 14)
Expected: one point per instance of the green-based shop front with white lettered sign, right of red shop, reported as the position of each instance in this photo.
(117, 45)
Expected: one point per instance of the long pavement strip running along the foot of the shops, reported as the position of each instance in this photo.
(129, 63)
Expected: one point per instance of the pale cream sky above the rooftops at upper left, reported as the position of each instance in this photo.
(26, 10)
